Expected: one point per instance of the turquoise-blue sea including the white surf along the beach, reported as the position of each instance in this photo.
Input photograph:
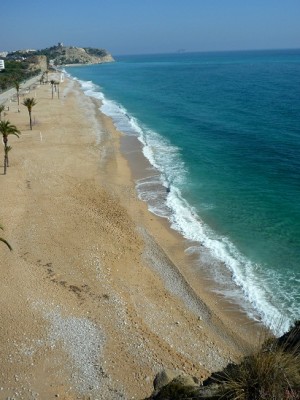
(222, 133)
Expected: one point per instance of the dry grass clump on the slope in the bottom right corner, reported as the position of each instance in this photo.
(272, 373)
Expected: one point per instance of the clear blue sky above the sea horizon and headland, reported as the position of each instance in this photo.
(151, 26)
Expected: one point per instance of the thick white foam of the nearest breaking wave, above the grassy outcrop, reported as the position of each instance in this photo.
(257, 283)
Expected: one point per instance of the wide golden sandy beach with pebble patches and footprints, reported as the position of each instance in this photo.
(97, 295)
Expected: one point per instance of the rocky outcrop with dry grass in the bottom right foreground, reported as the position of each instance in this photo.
(272, 372)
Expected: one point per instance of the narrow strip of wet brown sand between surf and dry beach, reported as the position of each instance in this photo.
(232, 314)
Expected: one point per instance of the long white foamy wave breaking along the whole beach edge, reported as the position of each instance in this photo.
(162, 191)
